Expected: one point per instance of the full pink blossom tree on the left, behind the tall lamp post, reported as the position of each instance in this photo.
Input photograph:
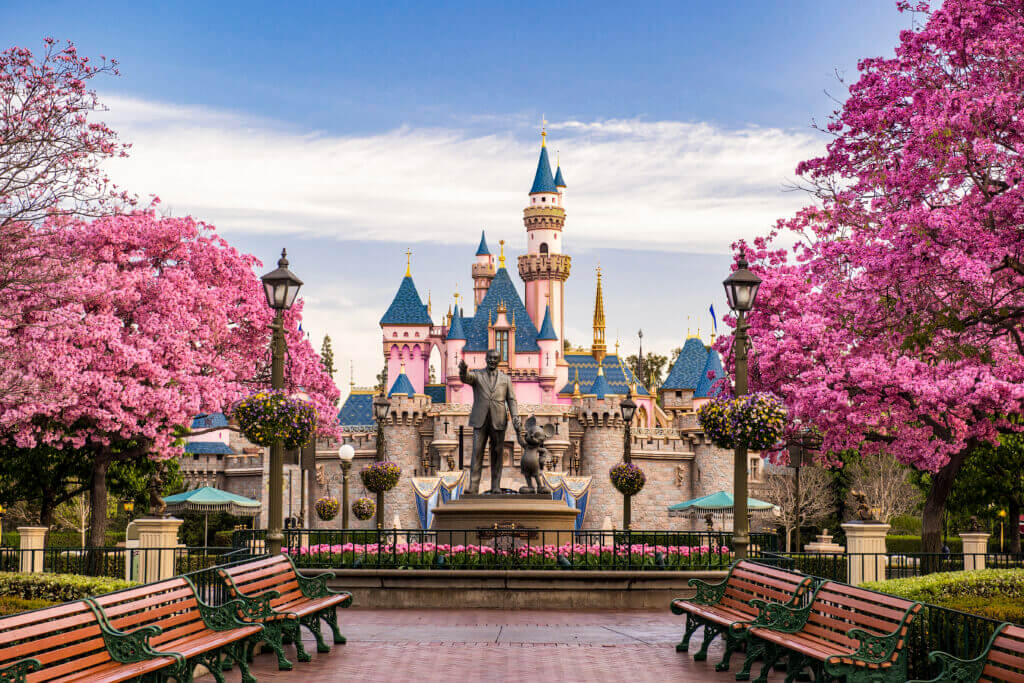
(164, 320)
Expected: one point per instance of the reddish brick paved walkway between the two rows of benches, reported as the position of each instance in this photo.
(524, 647)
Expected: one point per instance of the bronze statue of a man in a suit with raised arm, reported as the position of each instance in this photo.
(493, 395)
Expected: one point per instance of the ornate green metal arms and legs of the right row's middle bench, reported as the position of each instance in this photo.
(873, 650)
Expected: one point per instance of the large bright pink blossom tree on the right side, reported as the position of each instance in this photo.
(894, 323)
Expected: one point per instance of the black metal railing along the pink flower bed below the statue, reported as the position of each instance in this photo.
(503, 549)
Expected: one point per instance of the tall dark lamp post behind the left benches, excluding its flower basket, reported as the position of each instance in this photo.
(281, 287)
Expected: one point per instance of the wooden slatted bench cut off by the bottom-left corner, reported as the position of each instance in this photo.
(70, 643)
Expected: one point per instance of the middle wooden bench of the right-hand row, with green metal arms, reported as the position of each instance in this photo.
(845, 632)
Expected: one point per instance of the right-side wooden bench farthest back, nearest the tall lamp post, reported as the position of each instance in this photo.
(724, 608)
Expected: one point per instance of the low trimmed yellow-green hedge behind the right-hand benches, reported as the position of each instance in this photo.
(998, 594)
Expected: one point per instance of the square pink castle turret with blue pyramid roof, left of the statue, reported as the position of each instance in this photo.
(406, 329)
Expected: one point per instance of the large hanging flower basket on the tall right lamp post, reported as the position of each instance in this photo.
(755, 421)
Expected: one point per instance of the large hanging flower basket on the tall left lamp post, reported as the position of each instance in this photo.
(272, 416)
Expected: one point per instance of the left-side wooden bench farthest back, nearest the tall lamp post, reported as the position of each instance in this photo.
(293, 601)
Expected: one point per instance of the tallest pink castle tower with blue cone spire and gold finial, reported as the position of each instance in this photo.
(544, 268)
